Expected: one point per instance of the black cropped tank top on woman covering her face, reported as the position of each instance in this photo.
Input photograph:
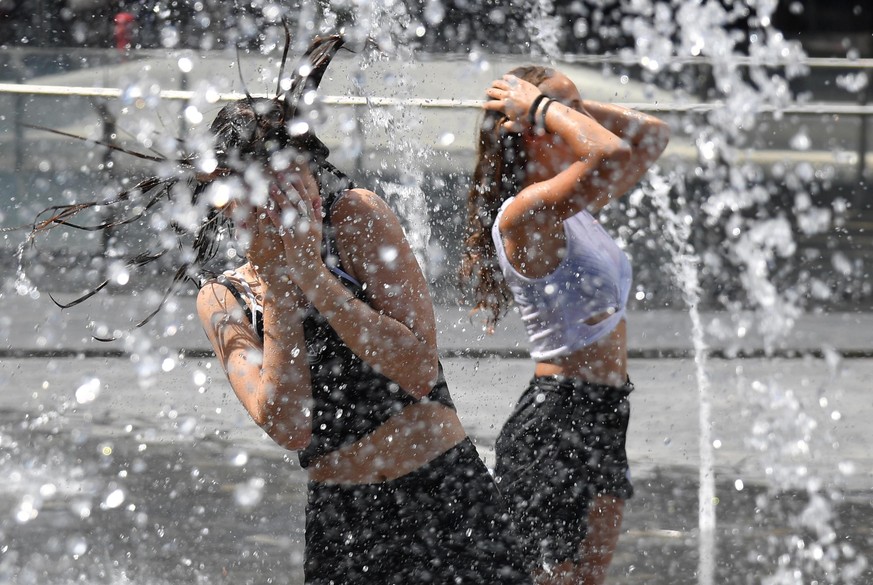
(350, 399)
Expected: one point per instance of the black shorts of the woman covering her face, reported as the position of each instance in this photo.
(444, 523)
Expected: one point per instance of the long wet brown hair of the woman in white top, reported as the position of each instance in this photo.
(499, 175)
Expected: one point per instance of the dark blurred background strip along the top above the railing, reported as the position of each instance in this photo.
(826, 28)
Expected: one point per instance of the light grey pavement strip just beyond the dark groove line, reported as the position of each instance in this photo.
(37, 324)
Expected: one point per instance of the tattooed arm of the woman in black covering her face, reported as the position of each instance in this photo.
(270, 378)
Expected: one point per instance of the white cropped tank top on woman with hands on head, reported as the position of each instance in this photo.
(594, 278)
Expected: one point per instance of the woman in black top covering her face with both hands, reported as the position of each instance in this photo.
(327, 335)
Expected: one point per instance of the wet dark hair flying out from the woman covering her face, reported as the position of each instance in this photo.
(249, 131)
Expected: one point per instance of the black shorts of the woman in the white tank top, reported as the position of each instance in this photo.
(563, 445)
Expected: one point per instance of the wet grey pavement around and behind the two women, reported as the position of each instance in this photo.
(154, 475)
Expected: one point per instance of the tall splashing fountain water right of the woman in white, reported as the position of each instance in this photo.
(757, 244)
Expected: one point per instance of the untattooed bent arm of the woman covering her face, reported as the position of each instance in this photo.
(394, 331)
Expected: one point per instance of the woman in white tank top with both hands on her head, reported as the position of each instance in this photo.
(548, 160)
